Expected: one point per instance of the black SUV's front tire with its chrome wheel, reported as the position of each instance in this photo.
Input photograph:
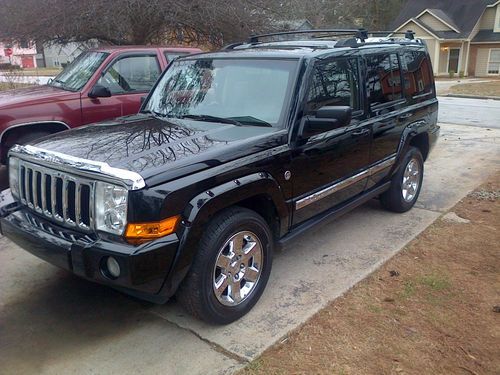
(210, 290)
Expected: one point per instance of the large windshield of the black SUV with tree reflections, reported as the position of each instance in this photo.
(246, 92)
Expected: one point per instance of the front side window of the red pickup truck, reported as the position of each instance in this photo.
(131, 74)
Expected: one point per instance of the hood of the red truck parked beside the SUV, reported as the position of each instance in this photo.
(33, 95)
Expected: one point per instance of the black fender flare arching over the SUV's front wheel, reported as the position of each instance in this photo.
(203, 206)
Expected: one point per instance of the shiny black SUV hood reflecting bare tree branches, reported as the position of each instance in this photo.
(150, 146)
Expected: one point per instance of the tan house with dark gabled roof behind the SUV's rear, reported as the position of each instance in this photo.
(461, 35)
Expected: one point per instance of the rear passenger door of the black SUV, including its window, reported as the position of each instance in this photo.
(386, 103)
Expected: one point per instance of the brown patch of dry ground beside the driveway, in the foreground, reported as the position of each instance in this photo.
(433, 308)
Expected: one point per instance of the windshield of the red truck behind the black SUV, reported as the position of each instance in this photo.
(81, 69)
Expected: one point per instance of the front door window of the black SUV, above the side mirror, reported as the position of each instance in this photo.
(334, 83)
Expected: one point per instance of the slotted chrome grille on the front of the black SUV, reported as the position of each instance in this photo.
(62, 197)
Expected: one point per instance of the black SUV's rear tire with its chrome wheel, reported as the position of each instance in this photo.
(406, 183)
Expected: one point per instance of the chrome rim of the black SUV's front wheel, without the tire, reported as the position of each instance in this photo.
(237, 268)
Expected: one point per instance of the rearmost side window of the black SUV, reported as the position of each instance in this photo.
(417, 75)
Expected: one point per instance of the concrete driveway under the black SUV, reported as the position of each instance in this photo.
(52, 322)
